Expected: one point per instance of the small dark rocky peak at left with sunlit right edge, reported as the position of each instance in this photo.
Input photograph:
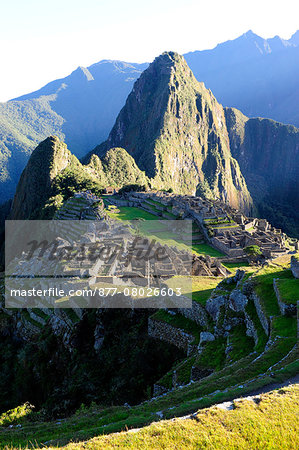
(34, 188)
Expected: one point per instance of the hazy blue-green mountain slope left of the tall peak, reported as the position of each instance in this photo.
(80, 109)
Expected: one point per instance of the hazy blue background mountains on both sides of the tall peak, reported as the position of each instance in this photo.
(258, 76)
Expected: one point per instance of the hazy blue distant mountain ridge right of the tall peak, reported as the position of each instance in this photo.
(258, 76)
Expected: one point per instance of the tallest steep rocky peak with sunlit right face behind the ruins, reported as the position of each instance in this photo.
(175, 130)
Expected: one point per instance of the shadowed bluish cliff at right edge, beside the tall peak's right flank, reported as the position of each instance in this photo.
(268, 155)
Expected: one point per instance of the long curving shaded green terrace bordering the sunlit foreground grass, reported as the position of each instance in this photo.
(95, 421)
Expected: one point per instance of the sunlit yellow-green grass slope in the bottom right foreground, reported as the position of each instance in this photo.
(268, 422)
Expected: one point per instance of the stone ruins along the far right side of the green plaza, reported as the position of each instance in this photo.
(230, 232)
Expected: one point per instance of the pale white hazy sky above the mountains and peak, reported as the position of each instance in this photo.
(41, 40)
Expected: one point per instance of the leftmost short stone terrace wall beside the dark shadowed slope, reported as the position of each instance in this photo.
(168, 333)
